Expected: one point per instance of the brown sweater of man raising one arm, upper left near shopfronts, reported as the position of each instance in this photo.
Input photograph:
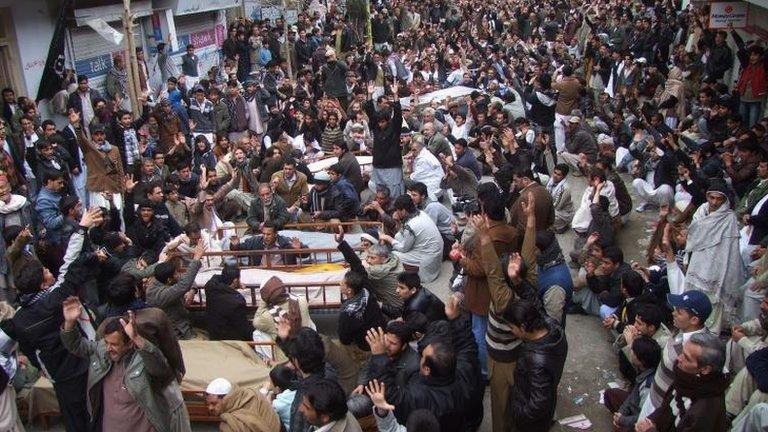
(105, 169)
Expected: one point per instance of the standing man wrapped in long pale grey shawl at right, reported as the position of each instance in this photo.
(712, 249)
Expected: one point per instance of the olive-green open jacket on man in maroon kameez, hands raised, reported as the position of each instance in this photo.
(165, 410)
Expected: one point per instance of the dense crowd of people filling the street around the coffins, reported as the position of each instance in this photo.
(107, 221)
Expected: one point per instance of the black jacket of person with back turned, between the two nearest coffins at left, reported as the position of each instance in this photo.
(225, 312)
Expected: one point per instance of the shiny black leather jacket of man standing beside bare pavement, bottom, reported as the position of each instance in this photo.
(539, 368)
